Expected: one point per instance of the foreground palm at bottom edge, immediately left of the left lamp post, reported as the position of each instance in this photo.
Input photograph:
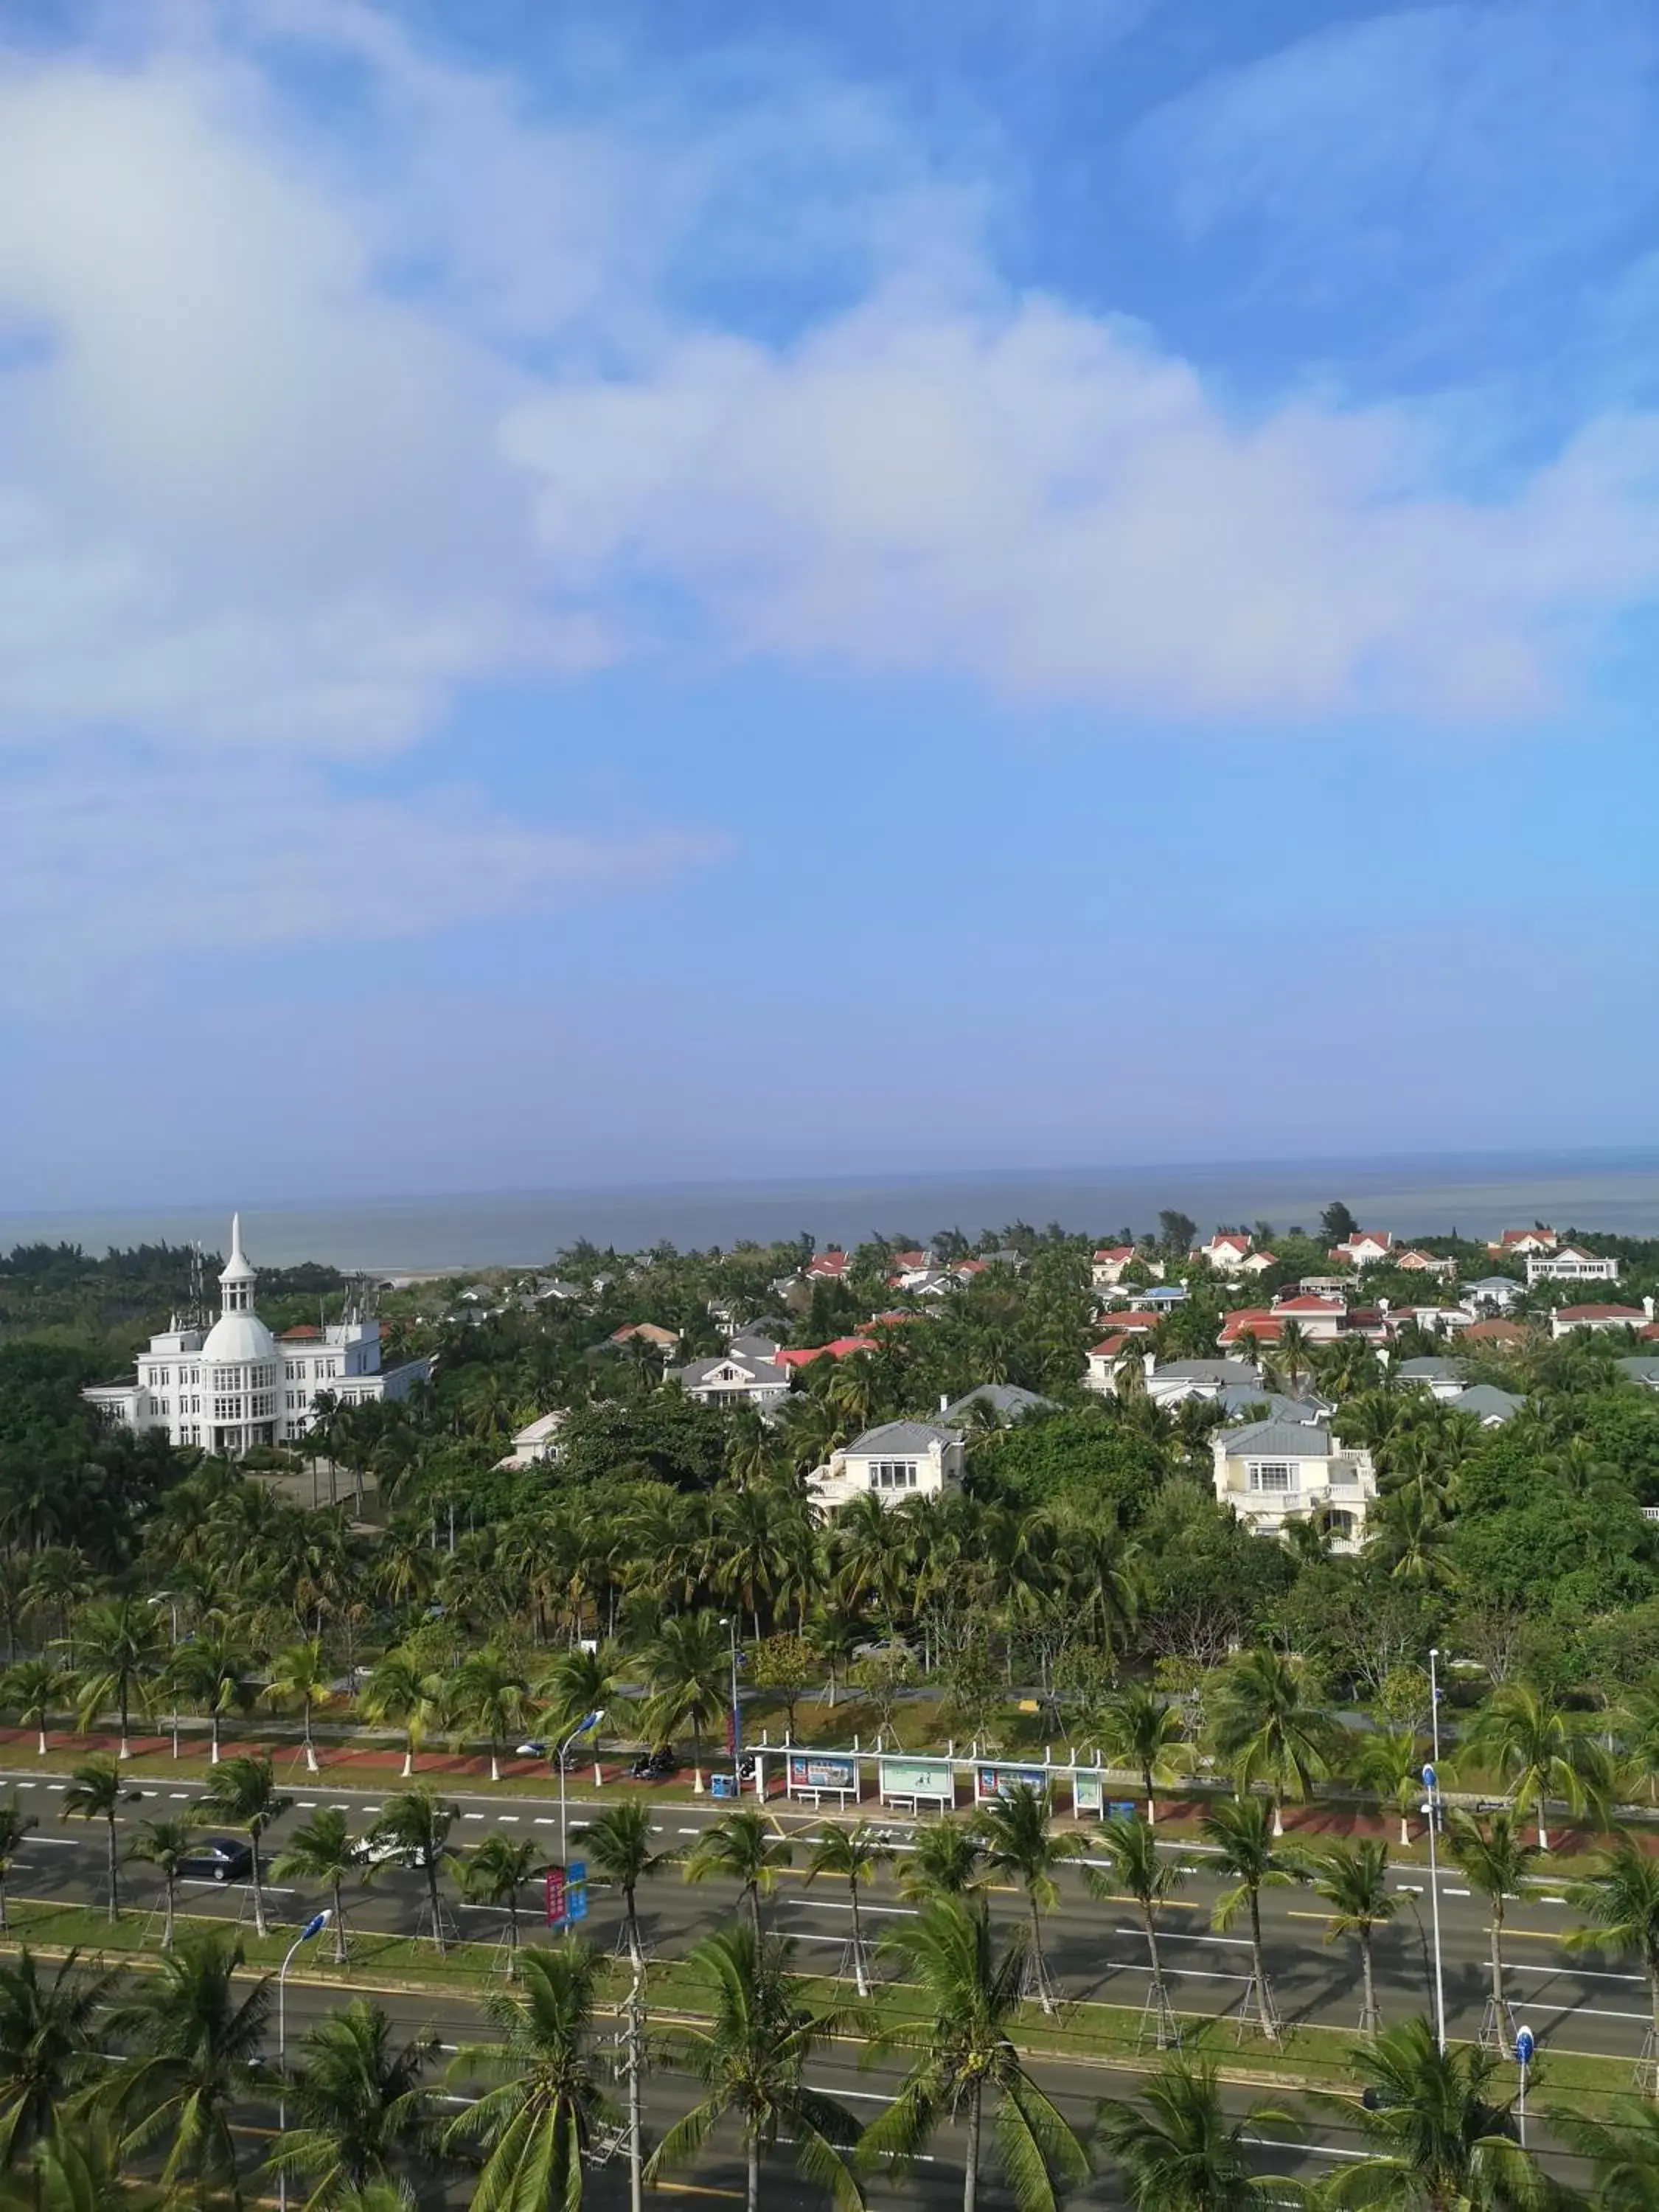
(196, 2058)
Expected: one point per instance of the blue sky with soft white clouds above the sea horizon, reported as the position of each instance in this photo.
(618, 594)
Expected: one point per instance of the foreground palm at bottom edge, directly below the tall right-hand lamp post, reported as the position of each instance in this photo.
(1439, 2140)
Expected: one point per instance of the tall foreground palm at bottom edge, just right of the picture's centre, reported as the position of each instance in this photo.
(966, 2056)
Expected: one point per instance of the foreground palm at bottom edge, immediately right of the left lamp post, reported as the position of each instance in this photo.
(357, 2105)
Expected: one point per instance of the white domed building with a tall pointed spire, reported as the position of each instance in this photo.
(238, 1386)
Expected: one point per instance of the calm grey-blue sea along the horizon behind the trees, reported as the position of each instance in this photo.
(1605, 1191)
